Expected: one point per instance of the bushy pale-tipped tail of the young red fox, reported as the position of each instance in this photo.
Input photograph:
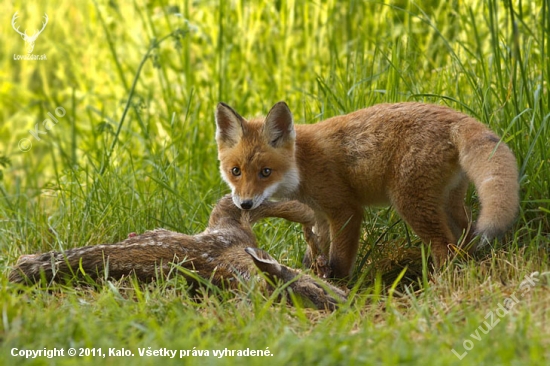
(492, 167)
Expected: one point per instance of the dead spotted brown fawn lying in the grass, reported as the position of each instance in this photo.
(223, 253)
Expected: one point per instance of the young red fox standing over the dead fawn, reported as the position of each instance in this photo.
(417, 157)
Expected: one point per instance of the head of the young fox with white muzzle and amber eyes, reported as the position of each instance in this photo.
(257, 156)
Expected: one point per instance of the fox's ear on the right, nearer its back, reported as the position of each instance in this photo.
(279, 127)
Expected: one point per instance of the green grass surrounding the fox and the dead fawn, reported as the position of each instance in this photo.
(95, 176)
